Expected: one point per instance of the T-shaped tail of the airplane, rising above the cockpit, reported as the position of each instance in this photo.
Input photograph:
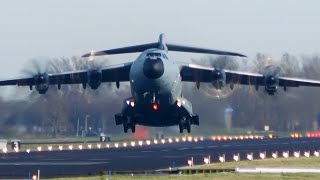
(163, 46)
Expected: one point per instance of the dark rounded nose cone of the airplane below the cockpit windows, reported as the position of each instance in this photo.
(153, 68)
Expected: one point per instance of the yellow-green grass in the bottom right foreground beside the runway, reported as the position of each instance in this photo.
(280, 162)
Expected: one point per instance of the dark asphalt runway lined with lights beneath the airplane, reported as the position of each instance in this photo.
(141, 158)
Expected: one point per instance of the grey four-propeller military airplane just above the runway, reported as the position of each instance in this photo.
(156, 83)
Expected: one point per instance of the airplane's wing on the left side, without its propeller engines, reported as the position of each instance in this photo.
(111, 73)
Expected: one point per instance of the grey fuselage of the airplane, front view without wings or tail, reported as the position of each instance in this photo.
(155, 81)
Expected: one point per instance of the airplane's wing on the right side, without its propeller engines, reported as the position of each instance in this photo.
(197, 73)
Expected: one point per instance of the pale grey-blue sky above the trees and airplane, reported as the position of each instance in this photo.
(58, 28)
